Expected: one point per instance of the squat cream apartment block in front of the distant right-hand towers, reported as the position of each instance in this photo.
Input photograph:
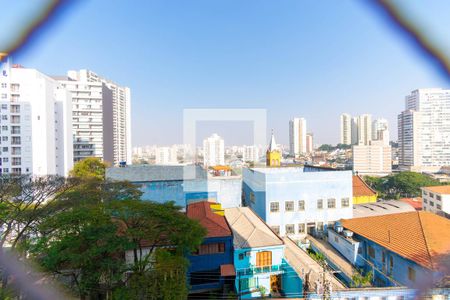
(374, 158)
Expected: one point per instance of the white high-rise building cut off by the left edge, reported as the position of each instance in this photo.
(35, 123)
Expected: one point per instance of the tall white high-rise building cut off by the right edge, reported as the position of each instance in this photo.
(424, 130)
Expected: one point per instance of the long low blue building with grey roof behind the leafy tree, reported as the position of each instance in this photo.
(181, 184)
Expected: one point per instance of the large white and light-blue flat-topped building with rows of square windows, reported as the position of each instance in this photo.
(295, 201)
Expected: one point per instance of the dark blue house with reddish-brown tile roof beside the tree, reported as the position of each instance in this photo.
(211, 266)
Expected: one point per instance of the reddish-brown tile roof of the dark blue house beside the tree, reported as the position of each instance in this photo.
(215, 225)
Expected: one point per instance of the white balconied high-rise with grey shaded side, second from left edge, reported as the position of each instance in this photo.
(101, 117)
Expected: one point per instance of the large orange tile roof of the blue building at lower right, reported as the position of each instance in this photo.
(421, 236)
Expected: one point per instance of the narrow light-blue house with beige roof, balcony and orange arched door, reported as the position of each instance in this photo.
(259, 257)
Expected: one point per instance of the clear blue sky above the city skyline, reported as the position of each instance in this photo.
(312, 59)
